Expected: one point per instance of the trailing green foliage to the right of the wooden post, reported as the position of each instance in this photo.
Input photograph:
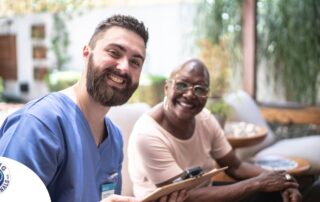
(289, 38)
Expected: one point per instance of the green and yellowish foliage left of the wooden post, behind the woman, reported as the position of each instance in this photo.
(219, 30)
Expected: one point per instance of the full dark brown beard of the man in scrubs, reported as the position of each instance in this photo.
(99, 90)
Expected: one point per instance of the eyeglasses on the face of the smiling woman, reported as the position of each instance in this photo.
(198, 90)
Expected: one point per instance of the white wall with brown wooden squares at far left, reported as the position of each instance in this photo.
(21, 27)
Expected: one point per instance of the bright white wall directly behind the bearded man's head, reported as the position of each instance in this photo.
(170, 28)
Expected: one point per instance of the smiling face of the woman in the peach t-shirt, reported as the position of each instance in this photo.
(186, 104)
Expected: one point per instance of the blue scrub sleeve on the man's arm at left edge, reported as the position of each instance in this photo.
(31, 142)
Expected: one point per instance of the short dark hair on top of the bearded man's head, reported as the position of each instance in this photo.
(124, 21)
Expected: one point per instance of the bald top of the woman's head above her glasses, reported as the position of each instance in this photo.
(192, 66)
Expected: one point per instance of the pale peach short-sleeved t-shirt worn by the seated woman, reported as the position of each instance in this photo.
(156, 156)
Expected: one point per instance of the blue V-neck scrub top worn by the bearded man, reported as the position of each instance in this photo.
(51, 136)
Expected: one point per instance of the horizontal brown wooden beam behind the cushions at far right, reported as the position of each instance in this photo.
(305, 115)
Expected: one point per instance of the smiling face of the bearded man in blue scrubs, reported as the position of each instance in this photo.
(114, 65)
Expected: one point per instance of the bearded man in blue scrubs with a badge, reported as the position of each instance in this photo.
(65, 137)
